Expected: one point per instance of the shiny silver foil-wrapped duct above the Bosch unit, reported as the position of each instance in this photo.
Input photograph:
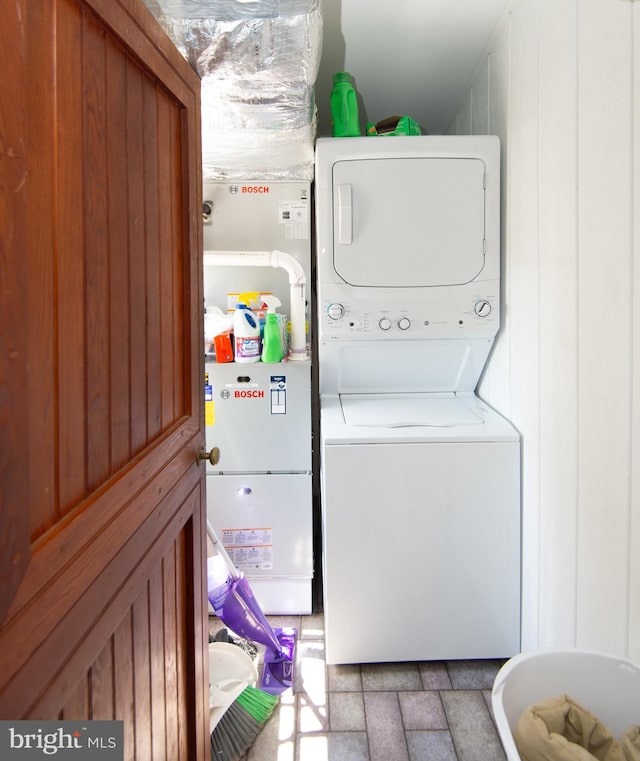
(258, 62)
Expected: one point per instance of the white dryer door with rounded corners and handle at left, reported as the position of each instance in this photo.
(407, 222)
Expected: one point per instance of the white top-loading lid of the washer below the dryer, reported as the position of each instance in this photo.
(405, 410)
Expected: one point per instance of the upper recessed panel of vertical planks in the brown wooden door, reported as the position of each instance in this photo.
(103, 261)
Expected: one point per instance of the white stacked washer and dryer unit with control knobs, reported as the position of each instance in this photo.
(420, 479)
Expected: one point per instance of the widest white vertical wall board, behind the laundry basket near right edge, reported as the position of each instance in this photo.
(604, 315)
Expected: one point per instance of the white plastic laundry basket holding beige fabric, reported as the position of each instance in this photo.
(607, 686)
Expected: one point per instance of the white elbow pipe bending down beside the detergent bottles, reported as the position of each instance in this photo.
(297, 283)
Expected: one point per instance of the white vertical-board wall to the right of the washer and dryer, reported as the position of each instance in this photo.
(560, 84)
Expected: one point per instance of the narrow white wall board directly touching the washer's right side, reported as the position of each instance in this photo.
(523, 273)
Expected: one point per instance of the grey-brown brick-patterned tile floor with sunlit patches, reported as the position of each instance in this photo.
(431, 711)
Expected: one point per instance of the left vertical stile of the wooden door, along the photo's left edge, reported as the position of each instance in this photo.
(15, 485)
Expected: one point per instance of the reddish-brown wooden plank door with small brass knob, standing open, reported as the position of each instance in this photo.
(102, 523)
